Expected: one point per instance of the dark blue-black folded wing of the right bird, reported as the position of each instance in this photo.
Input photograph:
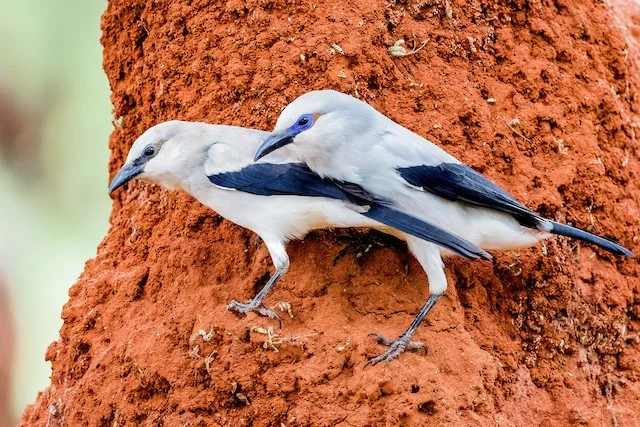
(458, 182)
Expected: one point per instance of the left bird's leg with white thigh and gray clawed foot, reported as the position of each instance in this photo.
(281, 260)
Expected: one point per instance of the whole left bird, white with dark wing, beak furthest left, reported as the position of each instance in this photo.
(279, 200)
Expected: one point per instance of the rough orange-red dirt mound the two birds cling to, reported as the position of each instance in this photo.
(541, 96)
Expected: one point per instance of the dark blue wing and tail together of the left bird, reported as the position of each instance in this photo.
(296, 179)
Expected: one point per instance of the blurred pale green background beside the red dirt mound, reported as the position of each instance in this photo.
(55, 118)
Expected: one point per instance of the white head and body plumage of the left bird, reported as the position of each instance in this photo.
(192, 151)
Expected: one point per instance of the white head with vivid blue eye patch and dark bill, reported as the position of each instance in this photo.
(317, 122)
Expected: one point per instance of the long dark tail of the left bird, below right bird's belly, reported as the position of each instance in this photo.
(416, 227)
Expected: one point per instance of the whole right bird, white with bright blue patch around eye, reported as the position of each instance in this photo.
(342, 138)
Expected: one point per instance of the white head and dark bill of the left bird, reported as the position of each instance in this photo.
(166, 154)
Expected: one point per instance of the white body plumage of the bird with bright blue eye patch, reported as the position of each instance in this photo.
(354, 142)
